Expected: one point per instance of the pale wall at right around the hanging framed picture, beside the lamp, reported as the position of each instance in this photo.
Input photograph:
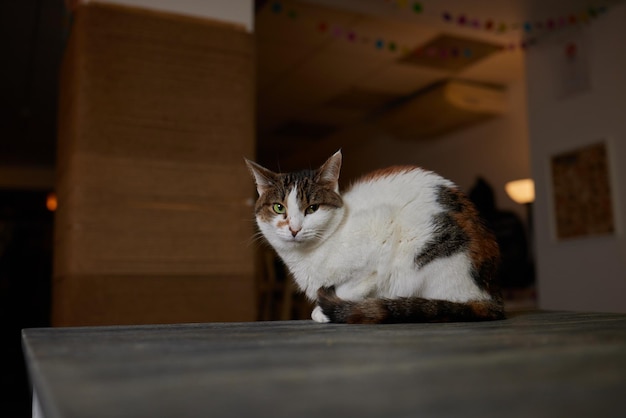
(586, 273)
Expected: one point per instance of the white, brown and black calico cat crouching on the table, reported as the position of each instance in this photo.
(402, 244)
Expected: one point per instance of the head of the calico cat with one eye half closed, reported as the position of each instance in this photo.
(299, 209)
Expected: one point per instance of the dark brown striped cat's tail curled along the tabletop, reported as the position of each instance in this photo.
(411, 309)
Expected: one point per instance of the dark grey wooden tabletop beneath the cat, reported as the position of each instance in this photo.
(549, 364)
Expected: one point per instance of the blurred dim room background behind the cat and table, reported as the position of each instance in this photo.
(123, 194)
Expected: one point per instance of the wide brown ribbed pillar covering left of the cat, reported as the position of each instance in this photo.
(156, 117)
